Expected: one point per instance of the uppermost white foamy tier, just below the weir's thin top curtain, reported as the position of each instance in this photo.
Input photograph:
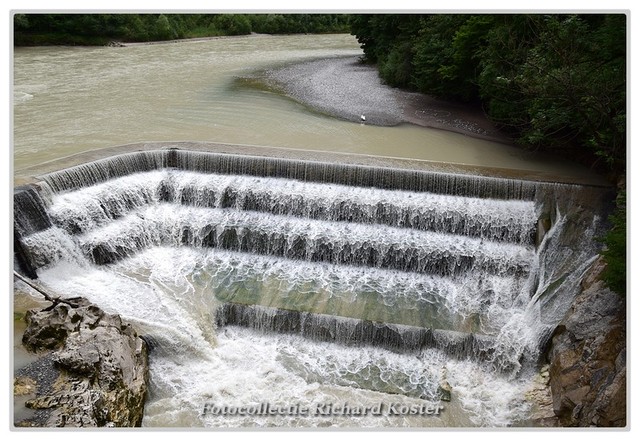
(90, 207)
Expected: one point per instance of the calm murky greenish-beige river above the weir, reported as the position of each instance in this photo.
(74, 99)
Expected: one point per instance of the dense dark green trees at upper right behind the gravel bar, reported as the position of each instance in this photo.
(555, 82)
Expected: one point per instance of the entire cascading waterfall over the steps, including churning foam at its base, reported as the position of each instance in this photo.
(346, 283)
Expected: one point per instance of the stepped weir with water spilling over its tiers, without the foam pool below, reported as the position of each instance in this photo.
(478, 268)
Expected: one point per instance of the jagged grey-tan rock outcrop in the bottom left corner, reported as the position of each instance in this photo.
(96, 365)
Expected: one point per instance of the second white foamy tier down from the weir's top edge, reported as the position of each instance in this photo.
(167, 222)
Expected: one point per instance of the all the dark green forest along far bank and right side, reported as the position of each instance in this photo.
(553, 82)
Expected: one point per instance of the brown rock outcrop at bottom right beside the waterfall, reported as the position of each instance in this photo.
(588, 358)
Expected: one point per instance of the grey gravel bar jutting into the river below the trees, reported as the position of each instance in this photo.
(345, 88)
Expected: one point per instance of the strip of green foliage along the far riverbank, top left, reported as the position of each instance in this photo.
(99, 29)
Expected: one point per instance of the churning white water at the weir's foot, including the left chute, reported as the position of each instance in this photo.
(192, 363)
